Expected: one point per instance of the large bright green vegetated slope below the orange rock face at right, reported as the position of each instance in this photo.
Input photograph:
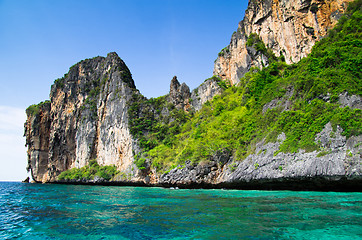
(297, 100)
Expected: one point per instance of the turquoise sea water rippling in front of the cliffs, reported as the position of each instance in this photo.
(42, 211)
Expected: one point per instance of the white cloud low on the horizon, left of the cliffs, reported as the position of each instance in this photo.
(13, 158)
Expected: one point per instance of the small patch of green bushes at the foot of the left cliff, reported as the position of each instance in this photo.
(89, 171)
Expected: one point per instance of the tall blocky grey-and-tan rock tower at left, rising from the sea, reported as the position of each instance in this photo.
(86, 119)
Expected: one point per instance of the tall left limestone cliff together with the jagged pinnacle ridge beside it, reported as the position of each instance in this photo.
(88, 117)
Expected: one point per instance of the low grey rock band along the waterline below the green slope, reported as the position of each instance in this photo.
(339, 161)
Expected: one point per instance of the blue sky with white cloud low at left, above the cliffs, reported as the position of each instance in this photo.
(158, 39)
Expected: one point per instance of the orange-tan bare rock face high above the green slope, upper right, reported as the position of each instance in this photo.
(287, 27)
